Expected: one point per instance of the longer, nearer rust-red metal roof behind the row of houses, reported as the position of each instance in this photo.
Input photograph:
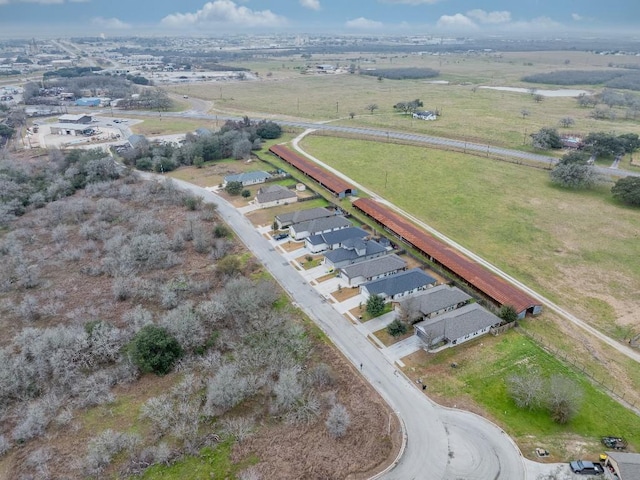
(486, 282)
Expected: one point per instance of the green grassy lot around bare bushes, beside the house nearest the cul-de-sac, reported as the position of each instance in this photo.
(479, 380)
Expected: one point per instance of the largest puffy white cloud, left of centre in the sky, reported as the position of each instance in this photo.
(227, 13)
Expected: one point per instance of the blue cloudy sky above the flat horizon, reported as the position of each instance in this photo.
(389, 17)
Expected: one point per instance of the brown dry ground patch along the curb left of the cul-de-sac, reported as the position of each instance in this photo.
(311, 453)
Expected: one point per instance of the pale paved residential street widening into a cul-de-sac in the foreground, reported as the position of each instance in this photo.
(442, 443)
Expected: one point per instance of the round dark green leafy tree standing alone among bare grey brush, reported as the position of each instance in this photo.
(154, 349)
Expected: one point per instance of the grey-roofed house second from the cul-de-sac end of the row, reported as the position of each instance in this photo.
(435, 301)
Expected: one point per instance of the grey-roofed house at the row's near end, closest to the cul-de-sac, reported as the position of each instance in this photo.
(456, 326)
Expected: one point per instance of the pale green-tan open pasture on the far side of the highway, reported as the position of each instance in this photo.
(468, 113)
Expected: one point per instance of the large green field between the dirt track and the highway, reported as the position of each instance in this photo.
(577, 248)
